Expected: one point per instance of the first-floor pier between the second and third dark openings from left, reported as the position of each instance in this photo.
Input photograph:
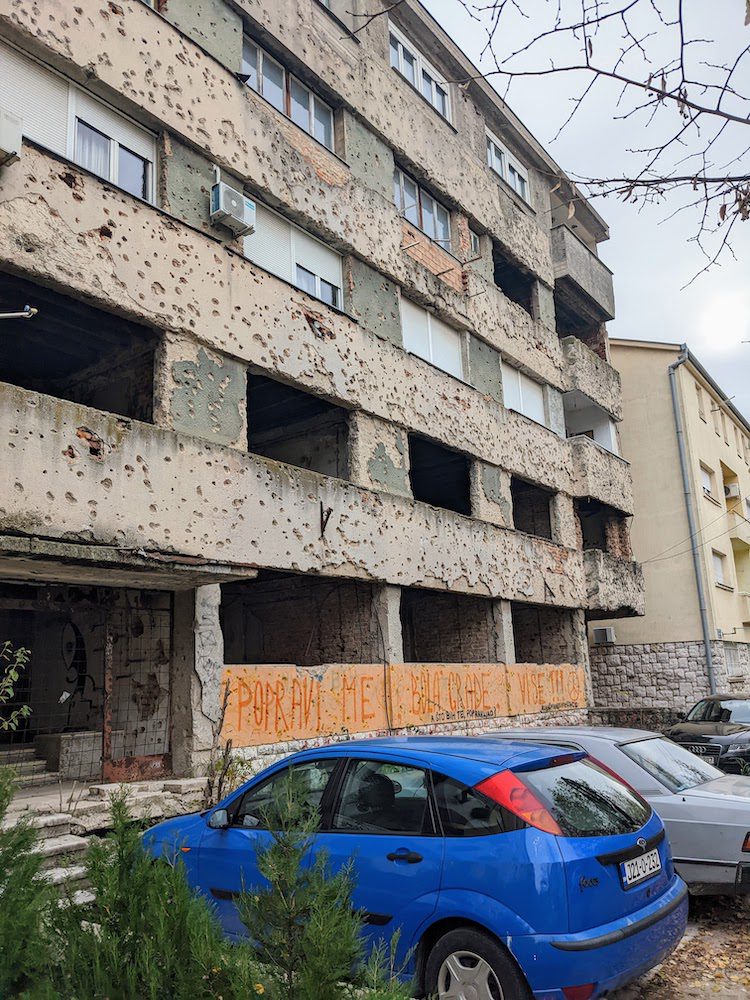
(378, 455)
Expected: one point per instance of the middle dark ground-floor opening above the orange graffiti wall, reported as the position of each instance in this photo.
(447, 628)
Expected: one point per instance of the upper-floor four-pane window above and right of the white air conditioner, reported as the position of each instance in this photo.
(286, 93)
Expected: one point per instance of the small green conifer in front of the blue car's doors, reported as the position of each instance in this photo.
(306, 932)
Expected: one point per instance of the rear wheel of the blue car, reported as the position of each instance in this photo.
(475, 958)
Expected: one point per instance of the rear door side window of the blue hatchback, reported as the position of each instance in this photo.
(381, 797)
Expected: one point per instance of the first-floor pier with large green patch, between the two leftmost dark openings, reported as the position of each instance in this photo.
(200, 392)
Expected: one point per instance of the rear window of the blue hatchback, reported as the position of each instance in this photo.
(588, 802)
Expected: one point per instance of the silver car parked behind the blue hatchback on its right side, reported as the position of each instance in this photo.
(706, 812)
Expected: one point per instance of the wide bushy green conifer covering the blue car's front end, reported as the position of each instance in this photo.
(147, 935)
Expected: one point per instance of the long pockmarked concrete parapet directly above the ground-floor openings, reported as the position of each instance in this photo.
(87, 480)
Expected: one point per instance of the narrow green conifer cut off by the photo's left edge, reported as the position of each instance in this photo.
(25, 903)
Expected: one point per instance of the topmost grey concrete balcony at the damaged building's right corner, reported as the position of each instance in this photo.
(582, 282)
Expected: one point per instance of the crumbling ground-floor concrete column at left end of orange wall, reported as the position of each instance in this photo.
(198, 660)
